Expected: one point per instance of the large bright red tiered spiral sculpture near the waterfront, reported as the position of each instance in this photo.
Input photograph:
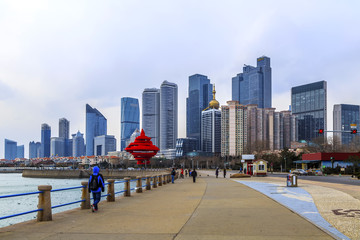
(142, 149)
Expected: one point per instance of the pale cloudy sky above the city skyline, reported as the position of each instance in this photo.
(56, 56)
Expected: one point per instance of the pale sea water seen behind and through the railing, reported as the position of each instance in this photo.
(14, 183)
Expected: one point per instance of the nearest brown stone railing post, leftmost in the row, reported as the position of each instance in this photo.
(44, 203)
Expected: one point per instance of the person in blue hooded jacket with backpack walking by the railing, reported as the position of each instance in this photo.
(96, 186)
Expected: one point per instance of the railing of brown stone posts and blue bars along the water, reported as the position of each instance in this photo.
(85, 199)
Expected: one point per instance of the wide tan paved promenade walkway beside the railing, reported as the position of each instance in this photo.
(209, 209)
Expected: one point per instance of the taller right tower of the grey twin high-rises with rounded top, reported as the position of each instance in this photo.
(168, 115)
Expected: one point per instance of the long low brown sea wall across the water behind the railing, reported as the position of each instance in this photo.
(107, 173)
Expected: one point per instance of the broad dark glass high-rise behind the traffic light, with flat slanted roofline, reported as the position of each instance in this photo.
(308, 104)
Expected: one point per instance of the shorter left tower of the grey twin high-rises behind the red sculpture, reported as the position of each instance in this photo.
(151, 114)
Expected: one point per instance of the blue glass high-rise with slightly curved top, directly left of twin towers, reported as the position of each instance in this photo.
(130, 118)
